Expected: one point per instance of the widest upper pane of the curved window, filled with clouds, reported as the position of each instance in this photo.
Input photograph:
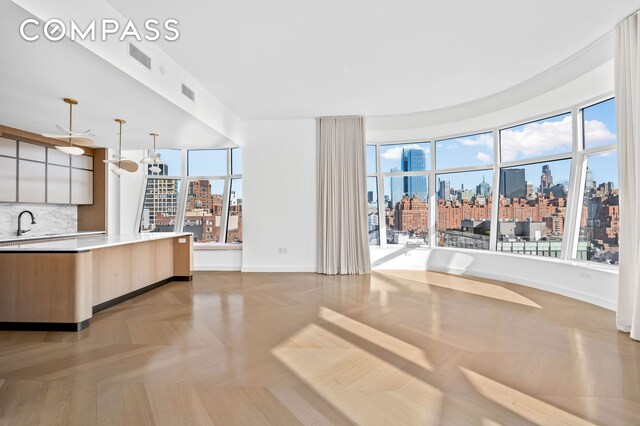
(543, 137)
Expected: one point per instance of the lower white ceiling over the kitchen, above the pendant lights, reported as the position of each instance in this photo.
(36, 76)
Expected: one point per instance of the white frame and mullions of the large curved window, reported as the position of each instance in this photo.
(578, 155)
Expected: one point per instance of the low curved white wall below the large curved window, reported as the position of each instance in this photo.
(592, 283)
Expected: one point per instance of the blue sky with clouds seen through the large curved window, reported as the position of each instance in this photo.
(527, 141)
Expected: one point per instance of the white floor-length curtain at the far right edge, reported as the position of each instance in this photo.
(627, 69)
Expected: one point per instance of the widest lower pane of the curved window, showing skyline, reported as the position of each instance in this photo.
(533, 207)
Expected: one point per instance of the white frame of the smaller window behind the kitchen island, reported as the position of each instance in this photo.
(184, 179)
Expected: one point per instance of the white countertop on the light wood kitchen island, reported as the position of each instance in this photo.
(89, 243)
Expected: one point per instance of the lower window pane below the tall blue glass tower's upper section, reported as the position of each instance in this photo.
(406, 201)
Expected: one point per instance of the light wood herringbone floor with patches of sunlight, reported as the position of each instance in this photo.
(401, 347)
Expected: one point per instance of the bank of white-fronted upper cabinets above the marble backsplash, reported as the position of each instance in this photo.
(31, 173)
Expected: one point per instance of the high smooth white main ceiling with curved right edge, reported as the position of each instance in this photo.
(292, 59)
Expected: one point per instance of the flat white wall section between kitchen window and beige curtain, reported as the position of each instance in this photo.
(279, 204)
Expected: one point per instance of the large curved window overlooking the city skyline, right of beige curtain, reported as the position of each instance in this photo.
(546, 187)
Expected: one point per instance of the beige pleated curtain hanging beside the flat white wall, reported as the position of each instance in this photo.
(343, 245)
